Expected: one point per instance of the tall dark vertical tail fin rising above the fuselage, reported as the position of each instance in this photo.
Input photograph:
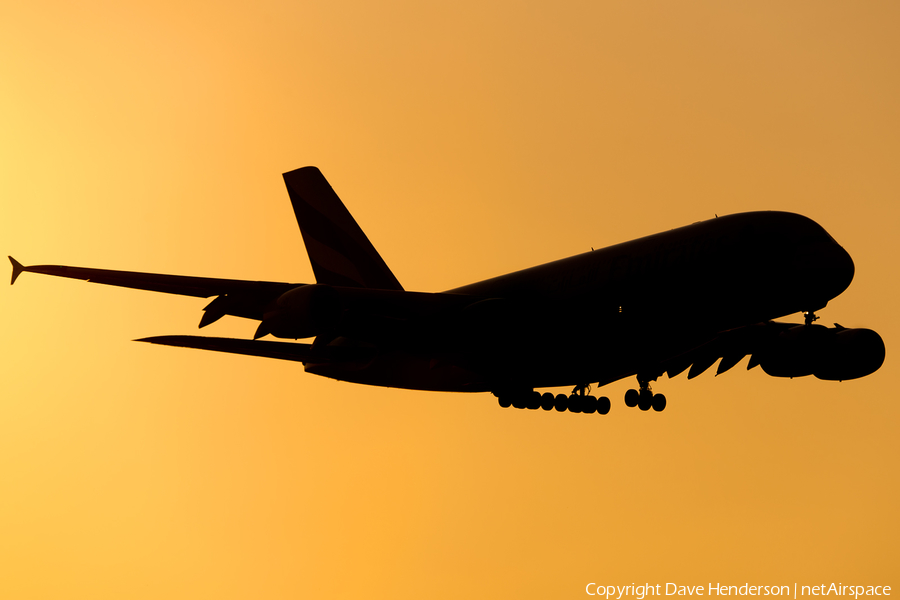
(339, 251)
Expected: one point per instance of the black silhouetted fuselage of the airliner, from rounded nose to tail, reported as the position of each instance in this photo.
(594, 316)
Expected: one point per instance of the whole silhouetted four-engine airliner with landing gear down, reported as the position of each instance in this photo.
(661, 304)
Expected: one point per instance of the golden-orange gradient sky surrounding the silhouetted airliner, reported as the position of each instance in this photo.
(468, 139)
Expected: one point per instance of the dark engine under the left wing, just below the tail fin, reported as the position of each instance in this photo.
(302, 312)
